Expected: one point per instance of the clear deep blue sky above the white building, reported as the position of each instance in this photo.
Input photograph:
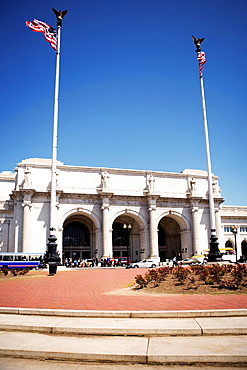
(129, 86)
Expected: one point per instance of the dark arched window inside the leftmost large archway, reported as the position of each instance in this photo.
(76, 234)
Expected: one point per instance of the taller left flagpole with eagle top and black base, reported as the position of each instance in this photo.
(52, 256)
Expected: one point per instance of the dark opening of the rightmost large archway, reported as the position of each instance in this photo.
(169, 238)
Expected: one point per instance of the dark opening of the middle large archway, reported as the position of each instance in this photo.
(126, 238)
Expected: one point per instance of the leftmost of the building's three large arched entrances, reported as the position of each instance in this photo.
(78, 237)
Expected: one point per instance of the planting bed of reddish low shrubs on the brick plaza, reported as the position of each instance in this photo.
(200, 279)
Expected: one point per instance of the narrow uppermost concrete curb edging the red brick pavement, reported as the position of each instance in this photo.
(124, 314)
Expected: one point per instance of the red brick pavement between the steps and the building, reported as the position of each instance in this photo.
(88, 289)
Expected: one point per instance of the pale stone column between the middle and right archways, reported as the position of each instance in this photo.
(153, 230)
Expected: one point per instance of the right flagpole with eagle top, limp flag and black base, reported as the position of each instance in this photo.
(214, 252)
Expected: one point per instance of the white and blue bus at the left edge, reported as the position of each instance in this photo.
(21, 260)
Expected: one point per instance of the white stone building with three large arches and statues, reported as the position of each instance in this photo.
(167, 213)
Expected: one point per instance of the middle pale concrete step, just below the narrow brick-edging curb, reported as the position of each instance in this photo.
(128, 327)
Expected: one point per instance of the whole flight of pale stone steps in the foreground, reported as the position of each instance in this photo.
(87, 336)
